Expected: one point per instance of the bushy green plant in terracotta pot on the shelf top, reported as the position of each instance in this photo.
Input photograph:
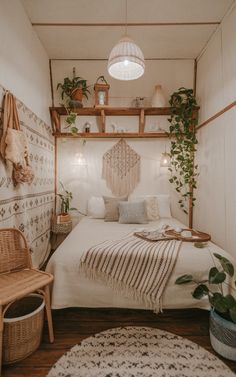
(75, 89)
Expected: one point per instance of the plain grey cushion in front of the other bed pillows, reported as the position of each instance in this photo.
(133, 213)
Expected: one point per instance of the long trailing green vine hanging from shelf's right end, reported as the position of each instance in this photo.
(182, 132)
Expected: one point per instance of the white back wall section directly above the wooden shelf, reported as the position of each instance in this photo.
(171, 74)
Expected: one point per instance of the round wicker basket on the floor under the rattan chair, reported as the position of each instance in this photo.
(23, 325)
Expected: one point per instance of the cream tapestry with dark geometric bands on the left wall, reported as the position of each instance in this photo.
(30, 207)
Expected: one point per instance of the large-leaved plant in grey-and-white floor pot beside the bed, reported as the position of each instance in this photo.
(223, 306)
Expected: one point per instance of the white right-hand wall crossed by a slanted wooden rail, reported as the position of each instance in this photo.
(216, 88)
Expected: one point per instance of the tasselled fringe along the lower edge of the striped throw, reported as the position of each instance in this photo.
(121, 289)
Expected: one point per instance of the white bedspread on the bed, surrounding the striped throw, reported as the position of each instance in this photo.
(72, 289)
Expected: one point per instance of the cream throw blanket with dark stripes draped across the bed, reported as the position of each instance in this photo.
(133, 266)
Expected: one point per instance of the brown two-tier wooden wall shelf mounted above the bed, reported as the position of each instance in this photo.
(102, 112)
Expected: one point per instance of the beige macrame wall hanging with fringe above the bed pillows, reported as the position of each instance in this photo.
(121, 168)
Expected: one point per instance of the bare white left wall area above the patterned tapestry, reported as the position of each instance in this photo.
(24, 67)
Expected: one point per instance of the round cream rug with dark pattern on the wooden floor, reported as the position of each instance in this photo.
(138, 352)
